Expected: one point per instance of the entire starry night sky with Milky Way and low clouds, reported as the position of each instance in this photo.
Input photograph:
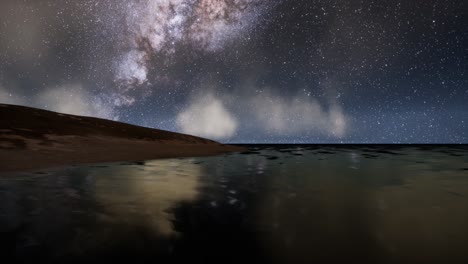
(246, 71)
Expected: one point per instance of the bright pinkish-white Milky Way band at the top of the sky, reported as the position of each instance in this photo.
(152, 28)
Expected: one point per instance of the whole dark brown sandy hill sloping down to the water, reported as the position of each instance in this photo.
(32, 138)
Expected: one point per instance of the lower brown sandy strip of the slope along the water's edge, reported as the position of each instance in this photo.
(102, 150)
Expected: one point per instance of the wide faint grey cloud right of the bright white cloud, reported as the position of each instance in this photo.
(291, 116)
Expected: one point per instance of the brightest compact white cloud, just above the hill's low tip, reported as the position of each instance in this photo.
(207, 116)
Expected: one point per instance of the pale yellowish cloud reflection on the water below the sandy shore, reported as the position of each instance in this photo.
(129, 194)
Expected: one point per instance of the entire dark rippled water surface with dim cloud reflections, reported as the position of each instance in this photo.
(272, 204)
